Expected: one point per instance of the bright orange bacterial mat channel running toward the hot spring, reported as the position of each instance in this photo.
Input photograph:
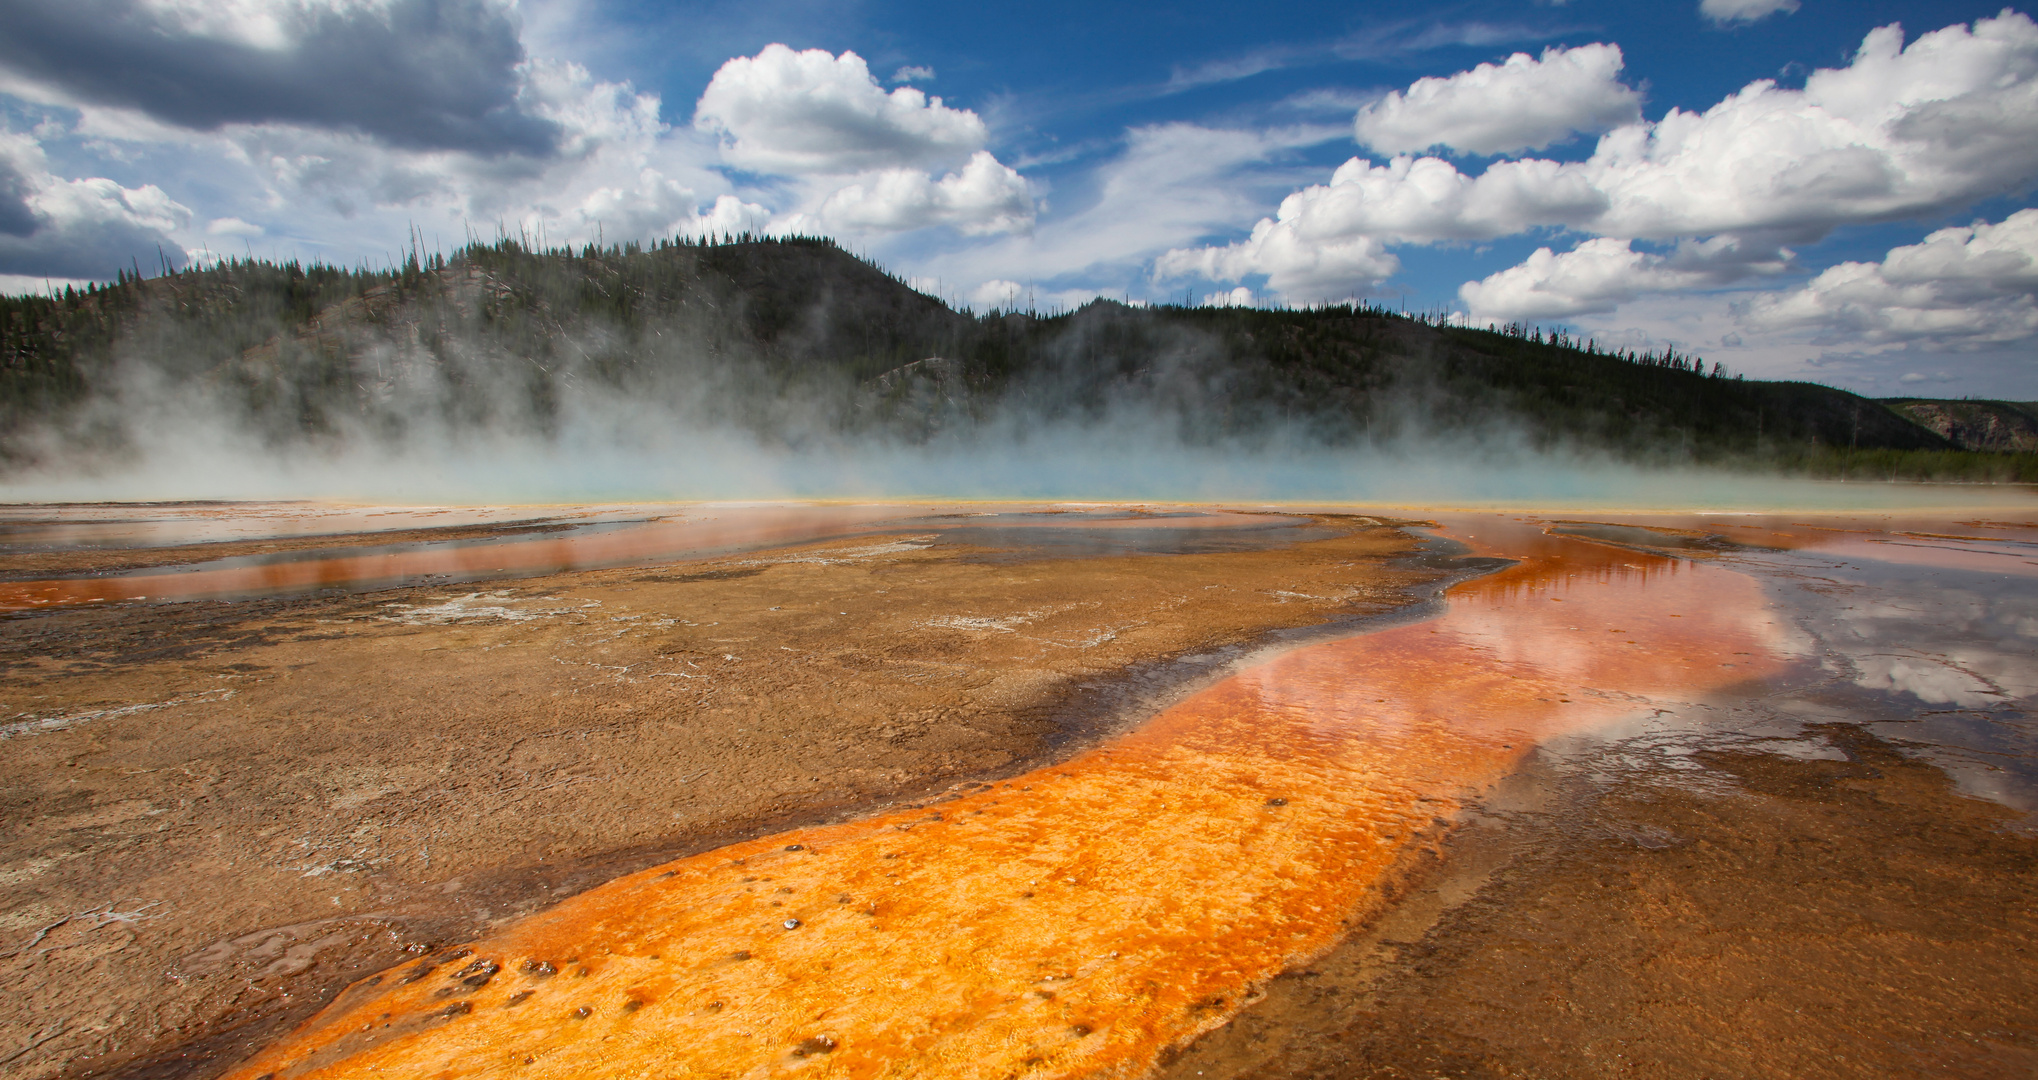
(1085, 918)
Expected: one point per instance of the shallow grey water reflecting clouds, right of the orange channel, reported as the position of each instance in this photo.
(1898, 633)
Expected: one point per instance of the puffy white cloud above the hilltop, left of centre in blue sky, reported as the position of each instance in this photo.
(820, 113)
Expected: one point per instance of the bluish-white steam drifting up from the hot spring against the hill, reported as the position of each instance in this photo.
(692, 415)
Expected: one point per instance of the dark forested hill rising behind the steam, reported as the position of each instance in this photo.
(798, 339)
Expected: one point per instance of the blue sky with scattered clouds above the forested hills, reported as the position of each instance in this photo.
(1597, 166)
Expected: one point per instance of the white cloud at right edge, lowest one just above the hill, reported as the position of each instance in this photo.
(1962, 288)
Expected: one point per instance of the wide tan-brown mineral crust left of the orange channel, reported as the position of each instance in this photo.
(225, 812)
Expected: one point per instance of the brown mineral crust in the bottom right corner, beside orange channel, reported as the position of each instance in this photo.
(1768, 918)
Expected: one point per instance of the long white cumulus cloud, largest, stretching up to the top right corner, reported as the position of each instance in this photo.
(1900, 131)
